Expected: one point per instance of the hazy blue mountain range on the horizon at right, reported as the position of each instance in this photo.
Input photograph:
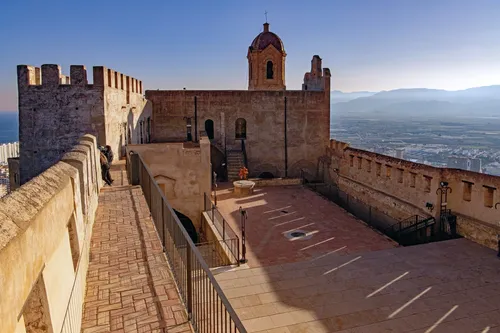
(480, 102)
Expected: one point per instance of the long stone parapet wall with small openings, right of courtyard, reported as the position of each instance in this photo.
(401, 188)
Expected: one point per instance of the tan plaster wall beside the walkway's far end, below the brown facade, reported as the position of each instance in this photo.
(183, 171)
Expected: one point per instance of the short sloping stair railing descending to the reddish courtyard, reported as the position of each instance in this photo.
(229, 237)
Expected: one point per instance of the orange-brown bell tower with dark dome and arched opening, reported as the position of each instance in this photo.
(266, 62)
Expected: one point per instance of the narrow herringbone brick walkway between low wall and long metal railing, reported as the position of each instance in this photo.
(129, 286)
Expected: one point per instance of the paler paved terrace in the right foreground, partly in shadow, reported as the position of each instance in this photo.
(444, 287)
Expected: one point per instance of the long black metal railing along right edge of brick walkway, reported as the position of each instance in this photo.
(208, 308)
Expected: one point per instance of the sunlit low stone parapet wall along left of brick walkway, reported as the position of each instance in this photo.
(45, 229)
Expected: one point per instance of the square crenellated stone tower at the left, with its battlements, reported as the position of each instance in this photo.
(56, 110)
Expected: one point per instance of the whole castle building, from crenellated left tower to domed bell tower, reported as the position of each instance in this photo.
(55, 110)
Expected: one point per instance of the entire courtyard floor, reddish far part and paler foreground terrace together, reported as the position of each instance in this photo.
(370, 286)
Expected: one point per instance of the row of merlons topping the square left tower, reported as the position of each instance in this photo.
(50, 75)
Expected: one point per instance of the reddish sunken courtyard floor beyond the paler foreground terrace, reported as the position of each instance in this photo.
(273, 212)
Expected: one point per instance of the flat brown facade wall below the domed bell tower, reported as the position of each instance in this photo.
(308, 119)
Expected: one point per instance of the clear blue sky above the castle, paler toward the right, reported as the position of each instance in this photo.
(368, 44)
